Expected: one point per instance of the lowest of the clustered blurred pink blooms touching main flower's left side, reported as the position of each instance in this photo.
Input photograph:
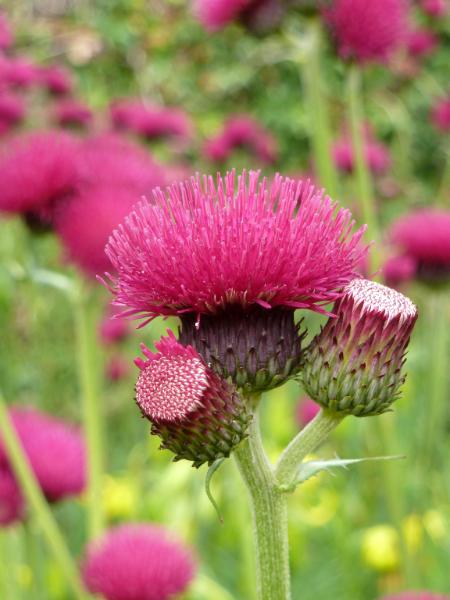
(86, 221)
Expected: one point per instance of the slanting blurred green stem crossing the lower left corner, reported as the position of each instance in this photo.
(37, 503)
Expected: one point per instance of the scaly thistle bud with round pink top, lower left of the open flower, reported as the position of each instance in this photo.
(198, 415)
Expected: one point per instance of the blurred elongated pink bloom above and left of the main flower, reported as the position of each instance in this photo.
(150, 121)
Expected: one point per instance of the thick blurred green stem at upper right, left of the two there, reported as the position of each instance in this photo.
(318, 111)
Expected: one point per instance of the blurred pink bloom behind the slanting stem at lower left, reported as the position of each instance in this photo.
(55, 450)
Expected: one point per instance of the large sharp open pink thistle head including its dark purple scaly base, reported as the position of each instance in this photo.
(241, 259)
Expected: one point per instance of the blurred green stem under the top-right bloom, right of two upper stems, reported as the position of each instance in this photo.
(362, 174)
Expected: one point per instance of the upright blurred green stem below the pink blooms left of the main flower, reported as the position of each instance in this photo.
(89, 380)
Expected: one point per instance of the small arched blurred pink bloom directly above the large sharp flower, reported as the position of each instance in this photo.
(238, 131)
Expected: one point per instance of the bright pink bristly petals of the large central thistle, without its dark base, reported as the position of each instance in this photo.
(210, 238)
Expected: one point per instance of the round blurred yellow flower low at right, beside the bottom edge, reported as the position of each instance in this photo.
(380, 547)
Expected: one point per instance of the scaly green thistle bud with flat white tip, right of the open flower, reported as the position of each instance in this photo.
(354, 365)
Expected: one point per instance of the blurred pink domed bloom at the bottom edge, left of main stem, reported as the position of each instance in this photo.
(138, 562)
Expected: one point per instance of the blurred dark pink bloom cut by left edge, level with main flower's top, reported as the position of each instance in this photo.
(38, 171)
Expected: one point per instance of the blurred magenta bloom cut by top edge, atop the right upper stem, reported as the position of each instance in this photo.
(368, 30)
